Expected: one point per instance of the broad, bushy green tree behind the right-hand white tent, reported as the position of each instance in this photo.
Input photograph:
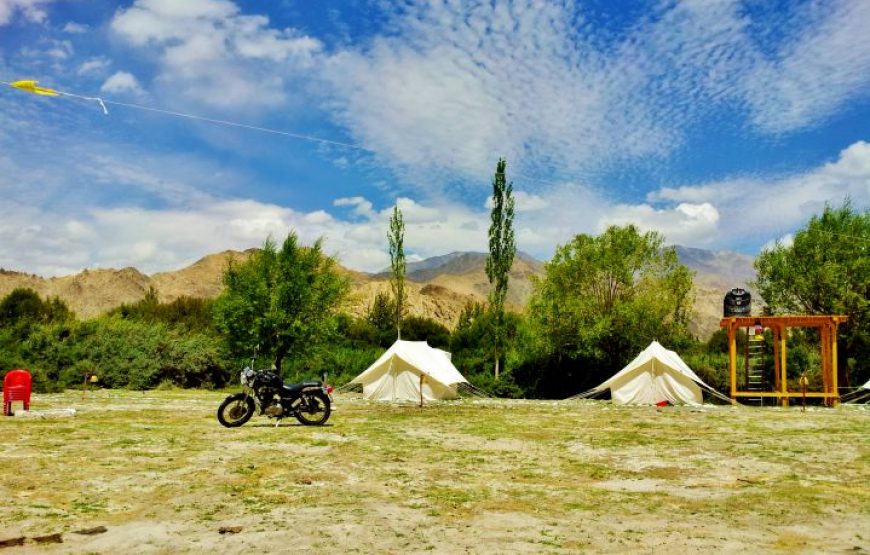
(602, 300)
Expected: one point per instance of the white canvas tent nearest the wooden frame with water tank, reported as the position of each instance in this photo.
(656, 374)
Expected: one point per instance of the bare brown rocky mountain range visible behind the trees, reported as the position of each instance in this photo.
(438, 287)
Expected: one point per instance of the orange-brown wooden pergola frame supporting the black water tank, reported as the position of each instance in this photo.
(827, 326)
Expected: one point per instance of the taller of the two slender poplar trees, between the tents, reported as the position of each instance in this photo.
(502, 249)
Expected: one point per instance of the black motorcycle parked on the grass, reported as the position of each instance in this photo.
(264, 392)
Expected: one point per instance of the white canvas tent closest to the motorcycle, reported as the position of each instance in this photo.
(395, 376)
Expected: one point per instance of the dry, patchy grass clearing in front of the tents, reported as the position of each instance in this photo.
(468, 476)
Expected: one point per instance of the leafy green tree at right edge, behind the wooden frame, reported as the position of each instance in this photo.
(826, 270)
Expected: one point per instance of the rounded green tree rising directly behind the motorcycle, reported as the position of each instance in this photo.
(284, 300)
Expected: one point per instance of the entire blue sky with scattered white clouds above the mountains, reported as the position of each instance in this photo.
(722, 124)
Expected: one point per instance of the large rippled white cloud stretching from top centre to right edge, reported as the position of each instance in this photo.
(454, 85)
